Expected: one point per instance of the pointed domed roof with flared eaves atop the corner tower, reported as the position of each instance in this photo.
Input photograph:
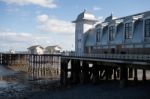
(85, 16)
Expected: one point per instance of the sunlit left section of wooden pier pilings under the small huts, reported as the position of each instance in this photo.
(38, 66)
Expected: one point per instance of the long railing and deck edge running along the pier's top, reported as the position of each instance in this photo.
(120, 57)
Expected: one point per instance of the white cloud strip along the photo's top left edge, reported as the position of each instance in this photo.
(42, 3)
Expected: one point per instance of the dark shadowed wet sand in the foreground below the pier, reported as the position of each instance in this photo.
(102, 91)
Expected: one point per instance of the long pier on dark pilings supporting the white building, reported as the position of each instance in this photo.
(85, 68)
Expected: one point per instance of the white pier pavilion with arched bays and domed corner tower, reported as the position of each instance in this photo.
(130, 34)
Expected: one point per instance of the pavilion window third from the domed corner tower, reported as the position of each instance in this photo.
(128, 30)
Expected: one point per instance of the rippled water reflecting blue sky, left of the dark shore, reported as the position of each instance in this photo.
(19, 84)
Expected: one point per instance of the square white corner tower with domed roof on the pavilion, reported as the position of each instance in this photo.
(83, 23)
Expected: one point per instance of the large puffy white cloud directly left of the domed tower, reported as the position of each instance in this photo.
(54, 25)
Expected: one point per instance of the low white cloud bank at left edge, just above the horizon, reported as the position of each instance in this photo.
(18, 41)
